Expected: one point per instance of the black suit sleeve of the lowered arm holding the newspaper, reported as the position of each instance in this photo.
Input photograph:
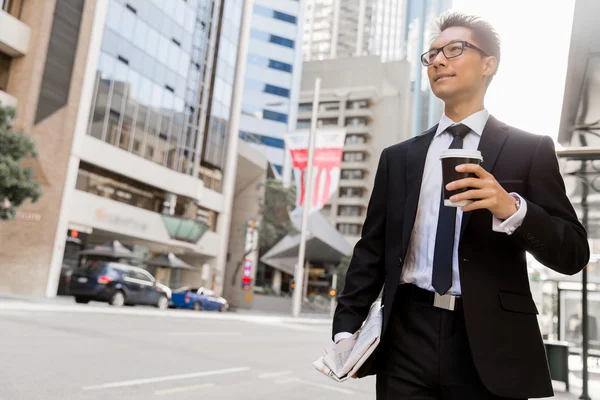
(366, 272)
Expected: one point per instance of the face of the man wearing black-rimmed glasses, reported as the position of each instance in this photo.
(463, 75)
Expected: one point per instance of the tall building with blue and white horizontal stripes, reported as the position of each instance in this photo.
(273, 77)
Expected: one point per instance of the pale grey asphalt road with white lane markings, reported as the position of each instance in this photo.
(83, 352)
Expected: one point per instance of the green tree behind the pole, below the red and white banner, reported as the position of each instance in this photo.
(274, 207)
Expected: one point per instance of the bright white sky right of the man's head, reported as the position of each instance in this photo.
(527, 92)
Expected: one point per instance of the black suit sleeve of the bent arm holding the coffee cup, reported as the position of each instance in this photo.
(551, 231)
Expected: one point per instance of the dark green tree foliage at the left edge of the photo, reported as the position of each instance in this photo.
(16, 182)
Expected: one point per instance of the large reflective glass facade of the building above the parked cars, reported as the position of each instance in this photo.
(149, 78)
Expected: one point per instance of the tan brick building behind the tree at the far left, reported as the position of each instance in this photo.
(44, 59)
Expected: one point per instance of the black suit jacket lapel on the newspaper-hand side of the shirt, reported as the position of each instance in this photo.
(415, 164)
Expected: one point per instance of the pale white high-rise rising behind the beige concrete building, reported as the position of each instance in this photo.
(347, 28)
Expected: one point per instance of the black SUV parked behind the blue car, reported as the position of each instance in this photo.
(117, 284)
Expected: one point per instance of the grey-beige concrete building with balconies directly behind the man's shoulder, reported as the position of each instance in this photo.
(371, 100)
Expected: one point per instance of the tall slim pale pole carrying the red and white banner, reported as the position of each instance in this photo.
(299, 272)
